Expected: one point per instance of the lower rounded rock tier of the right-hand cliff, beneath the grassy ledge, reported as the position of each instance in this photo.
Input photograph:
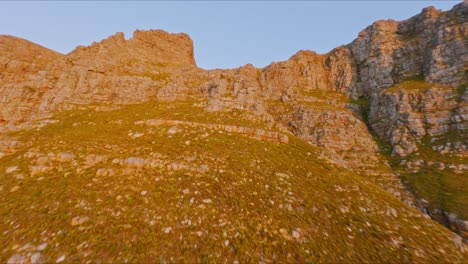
(404, 116)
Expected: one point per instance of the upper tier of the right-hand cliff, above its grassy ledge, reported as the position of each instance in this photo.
(430, 45)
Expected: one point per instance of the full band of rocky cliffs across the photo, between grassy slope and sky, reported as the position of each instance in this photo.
(404, 81)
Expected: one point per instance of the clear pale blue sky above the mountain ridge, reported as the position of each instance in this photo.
(225, 34)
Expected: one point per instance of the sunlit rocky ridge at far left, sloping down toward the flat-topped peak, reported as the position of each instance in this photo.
(23, 79)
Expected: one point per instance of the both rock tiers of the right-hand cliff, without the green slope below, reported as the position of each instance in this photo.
(430, 50)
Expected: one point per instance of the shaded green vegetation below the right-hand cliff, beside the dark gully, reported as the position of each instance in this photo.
(443, 188)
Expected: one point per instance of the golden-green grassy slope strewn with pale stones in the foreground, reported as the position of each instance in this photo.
(269, 202)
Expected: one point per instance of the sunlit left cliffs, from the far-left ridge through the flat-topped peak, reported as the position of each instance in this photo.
(37, 81)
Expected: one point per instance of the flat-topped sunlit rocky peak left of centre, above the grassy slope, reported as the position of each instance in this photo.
(119, 71)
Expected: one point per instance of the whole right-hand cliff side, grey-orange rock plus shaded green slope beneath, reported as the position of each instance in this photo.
(413, 73)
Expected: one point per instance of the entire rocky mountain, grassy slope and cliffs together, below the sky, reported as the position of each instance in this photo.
(127, 151)
